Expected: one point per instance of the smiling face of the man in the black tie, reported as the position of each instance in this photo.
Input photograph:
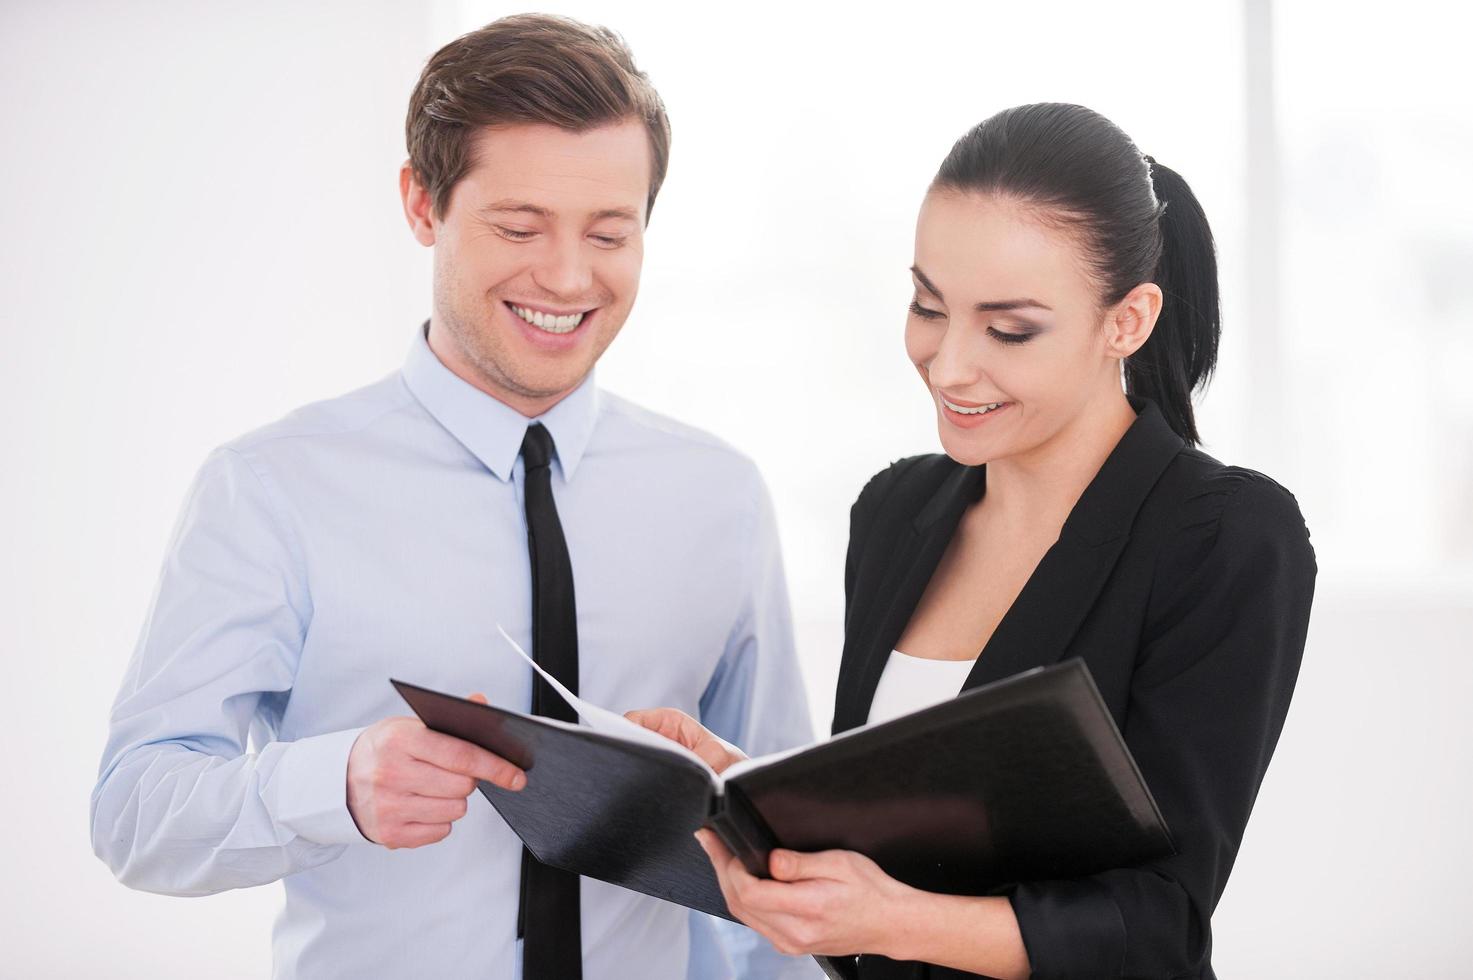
(537, 257)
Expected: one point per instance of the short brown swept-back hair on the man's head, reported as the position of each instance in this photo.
(527, 69)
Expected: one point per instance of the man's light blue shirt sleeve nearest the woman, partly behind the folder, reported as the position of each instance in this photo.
(756, 701)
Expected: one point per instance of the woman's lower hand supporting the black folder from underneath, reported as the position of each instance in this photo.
(827, 904)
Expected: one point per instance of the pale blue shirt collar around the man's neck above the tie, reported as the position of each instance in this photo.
(491, 430)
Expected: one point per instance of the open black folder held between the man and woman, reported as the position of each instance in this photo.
(1024, 779)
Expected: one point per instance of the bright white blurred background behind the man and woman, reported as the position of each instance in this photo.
(201, 232)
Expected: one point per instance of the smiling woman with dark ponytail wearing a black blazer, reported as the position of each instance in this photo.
(1072, 517)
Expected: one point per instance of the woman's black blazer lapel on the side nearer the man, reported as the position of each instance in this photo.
(876, 633)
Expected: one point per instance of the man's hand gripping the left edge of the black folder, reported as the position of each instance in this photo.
(407, 785)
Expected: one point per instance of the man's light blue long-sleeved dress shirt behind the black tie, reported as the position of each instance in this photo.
(382, 534)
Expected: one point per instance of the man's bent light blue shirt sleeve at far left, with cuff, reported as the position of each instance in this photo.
(180, 805)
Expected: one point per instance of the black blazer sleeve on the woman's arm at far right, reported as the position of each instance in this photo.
(1223, 639)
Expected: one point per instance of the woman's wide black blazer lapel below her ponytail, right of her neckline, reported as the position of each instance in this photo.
(1051, 608)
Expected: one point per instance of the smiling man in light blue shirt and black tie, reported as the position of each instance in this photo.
(390, 531)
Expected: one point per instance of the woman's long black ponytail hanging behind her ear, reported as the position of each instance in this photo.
(1182, 350)
